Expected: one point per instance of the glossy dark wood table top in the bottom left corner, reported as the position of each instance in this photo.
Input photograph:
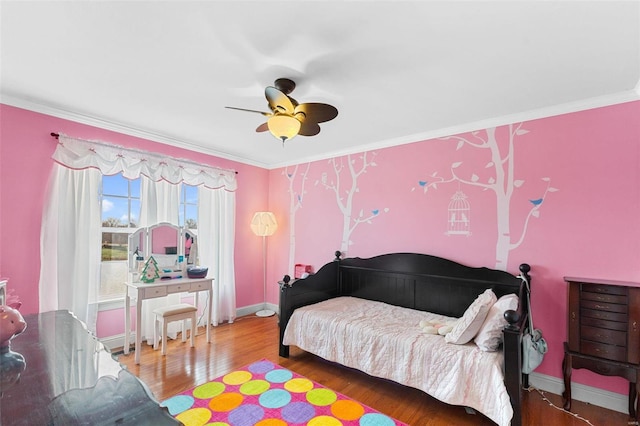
(71, 379)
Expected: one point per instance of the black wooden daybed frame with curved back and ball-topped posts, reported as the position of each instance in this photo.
(416, 281)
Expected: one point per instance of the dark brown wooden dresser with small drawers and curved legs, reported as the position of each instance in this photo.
(603, 332)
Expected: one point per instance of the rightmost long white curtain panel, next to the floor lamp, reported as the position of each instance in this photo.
(216, 220)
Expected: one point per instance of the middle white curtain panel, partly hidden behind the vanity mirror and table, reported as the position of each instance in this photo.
(159, 202)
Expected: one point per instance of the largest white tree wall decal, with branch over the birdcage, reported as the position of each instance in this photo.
(503, 184)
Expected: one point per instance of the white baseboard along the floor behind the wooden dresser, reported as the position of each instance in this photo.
(601, 398)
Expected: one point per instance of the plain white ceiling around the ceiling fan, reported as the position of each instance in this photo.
(398, 71)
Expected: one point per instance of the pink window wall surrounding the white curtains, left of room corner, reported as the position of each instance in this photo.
(25, 164)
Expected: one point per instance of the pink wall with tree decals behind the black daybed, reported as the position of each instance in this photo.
(586, 224)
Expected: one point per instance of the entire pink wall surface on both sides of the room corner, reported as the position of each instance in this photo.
(585, 226)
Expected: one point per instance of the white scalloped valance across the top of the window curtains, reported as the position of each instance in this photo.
(110, 159)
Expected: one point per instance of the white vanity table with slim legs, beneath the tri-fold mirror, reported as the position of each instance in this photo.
(162, 288)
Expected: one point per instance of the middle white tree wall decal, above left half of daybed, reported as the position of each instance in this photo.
(345, 197)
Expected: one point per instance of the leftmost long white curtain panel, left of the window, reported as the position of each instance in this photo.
(70, 244)
